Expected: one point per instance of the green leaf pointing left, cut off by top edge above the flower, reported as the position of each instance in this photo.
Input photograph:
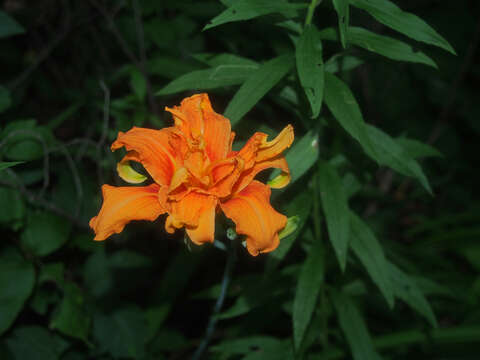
(249, 9)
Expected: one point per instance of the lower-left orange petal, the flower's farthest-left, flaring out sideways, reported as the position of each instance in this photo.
(124, 204)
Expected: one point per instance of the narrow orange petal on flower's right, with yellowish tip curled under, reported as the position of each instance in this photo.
(279, 163)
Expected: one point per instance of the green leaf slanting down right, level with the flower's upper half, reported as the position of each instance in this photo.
(388, 152)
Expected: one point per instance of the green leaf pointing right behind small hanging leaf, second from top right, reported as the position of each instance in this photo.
(386, 46)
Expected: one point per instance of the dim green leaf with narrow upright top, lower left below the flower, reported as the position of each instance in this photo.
(72, 318)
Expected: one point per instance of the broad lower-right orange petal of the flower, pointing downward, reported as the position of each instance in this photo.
(254, 217)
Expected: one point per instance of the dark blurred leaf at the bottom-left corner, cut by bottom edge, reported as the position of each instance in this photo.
(35, 342)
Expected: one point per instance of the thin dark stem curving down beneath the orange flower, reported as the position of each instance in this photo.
(220, 300)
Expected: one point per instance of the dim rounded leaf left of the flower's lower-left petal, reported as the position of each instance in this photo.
(45, 233)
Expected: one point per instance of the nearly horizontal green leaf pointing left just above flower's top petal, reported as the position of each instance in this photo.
(219, 76)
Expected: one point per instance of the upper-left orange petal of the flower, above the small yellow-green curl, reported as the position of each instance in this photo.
(152, 149)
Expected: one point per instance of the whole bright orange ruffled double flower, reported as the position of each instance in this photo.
(195, 174)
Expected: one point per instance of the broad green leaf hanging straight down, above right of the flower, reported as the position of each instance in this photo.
(308, 55)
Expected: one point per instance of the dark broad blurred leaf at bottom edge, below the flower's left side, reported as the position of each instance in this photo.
(122, 333)
